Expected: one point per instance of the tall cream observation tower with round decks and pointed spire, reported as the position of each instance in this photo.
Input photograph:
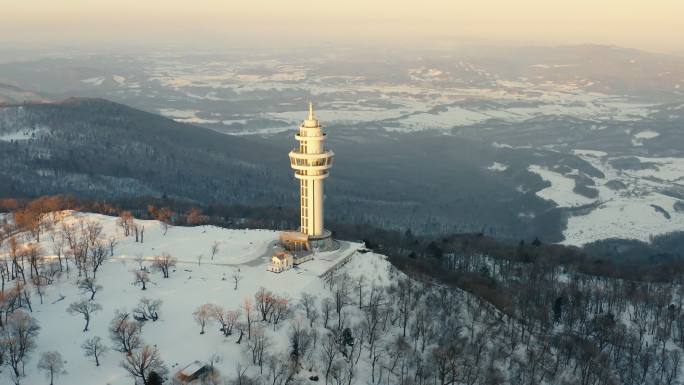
(311, 162)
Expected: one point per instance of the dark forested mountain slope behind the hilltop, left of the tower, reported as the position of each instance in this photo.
(98, 148)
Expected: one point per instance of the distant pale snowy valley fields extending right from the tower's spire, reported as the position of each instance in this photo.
(416, 108)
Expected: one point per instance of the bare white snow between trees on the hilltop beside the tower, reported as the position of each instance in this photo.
(195, 281)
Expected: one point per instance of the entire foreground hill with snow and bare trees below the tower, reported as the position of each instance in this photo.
(92, 299)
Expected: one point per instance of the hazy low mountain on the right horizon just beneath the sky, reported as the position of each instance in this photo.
(597, 68)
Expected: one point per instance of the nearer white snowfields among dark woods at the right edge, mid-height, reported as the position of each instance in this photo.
(643, 208)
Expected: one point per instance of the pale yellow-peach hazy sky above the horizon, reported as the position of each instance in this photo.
(656, 25)
